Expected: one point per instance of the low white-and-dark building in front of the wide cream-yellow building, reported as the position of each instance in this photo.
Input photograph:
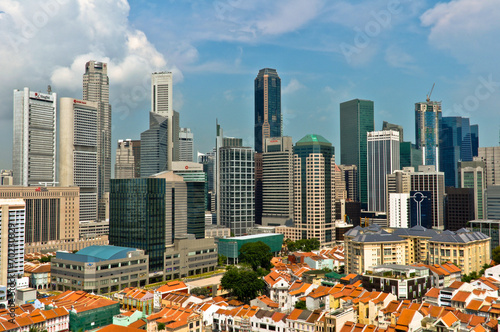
(406, 282)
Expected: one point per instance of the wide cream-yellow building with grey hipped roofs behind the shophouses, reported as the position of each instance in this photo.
(370, 246)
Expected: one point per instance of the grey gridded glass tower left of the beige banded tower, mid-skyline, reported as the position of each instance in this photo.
(235, 193)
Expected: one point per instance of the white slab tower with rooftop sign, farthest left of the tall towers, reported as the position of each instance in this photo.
(34, 138)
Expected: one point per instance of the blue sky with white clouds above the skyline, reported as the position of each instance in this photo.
(326, 52)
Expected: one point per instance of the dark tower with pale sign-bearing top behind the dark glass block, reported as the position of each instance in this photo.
(196, 184)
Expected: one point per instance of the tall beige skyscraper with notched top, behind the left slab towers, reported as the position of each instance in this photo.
(96, 89)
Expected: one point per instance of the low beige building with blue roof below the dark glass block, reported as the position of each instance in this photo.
(99, 269)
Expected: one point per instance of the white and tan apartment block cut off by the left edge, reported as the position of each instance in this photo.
(12, 242)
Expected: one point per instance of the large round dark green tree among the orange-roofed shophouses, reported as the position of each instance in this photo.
(242, 283)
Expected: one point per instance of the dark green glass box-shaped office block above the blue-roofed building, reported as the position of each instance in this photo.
(137, 217)
